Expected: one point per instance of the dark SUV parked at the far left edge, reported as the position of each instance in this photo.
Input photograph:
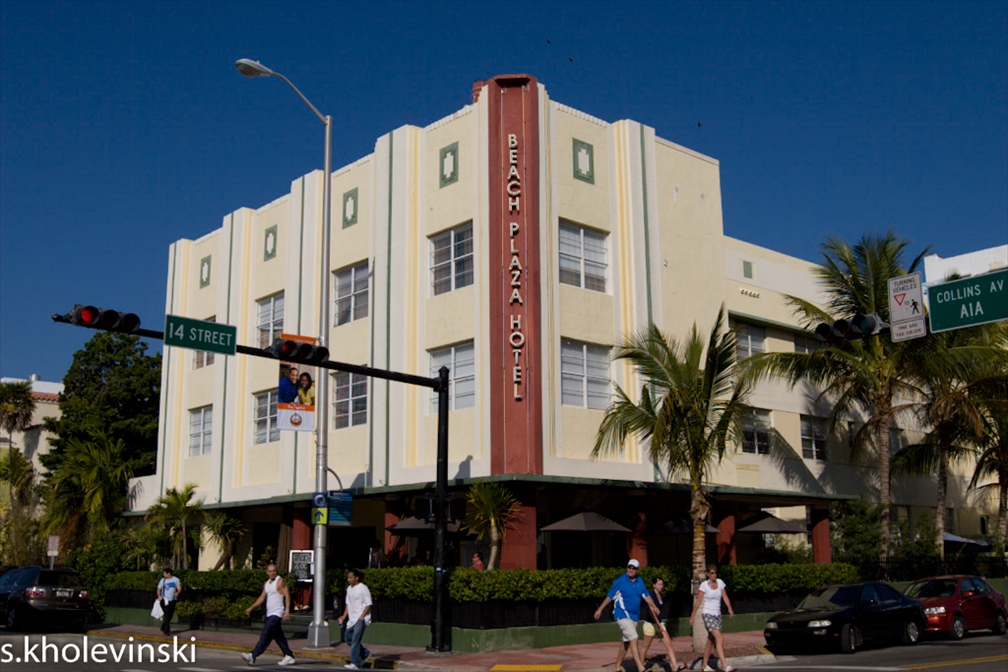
(39, 595)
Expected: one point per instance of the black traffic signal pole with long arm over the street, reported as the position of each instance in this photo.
(441, 385)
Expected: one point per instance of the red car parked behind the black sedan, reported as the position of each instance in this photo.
(956, 605)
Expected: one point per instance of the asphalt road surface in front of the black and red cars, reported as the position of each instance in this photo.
(977, 653)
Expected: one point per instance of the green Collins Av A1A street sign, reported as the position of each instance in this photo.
(969, 302)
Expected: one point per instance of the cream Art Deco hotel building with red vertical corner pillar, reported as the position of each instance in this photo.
(517, 241)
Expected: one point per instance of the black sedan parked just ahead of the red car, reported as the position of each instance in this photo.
(848, 617)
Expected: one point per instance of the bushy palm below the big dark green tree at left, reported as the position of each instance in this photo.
(89, 490)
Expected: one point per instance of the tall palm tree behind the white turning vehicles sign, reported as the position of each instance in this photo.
(873, 376)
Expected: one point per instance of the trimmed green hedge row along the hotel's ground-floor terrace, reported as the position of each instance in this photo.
(467, 585)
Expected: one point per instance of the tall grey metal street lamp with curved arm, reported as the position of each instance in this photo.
(318, 631)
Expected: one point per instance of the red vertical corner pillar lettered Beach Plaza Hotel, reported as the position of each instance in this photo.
(516, 351)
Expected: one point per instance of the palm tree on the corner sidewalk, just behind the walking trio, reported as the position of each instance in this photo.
(690, 410)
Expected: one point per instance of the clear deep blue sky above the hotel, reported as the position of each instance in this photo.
(125, 126)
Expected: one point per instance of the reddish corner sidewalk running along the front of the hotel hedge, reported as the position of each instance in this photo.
(741, 649)
